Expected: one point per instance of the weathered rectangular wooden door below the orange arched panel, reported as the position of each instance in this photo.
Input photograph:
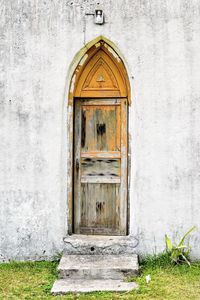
(100, 166)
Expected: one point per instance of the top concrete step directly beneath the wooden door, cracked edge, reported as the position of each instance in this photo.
(99, 245)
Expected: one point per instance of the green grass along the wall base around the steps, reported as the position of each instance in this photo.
(33, 280)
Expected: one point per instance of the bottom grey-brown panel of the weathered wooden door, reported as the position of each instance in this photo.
(98, 210)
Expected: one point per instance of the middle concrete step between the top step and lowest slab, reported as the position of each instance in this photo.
(98, 266)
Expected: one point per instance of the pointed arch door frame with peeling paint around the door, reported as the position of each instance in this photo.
(77, 66)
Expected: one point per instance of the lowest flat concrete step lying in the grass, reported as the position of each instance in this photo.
(63, 286)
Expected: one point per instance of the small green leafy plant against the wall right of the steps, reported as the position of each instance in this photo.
(179, 253)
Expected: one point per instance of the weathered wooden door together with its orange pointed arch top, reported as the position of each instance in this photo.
(100, 144)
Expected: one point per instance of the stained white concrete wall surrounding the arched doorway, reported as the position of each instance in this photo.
(160, 41)
